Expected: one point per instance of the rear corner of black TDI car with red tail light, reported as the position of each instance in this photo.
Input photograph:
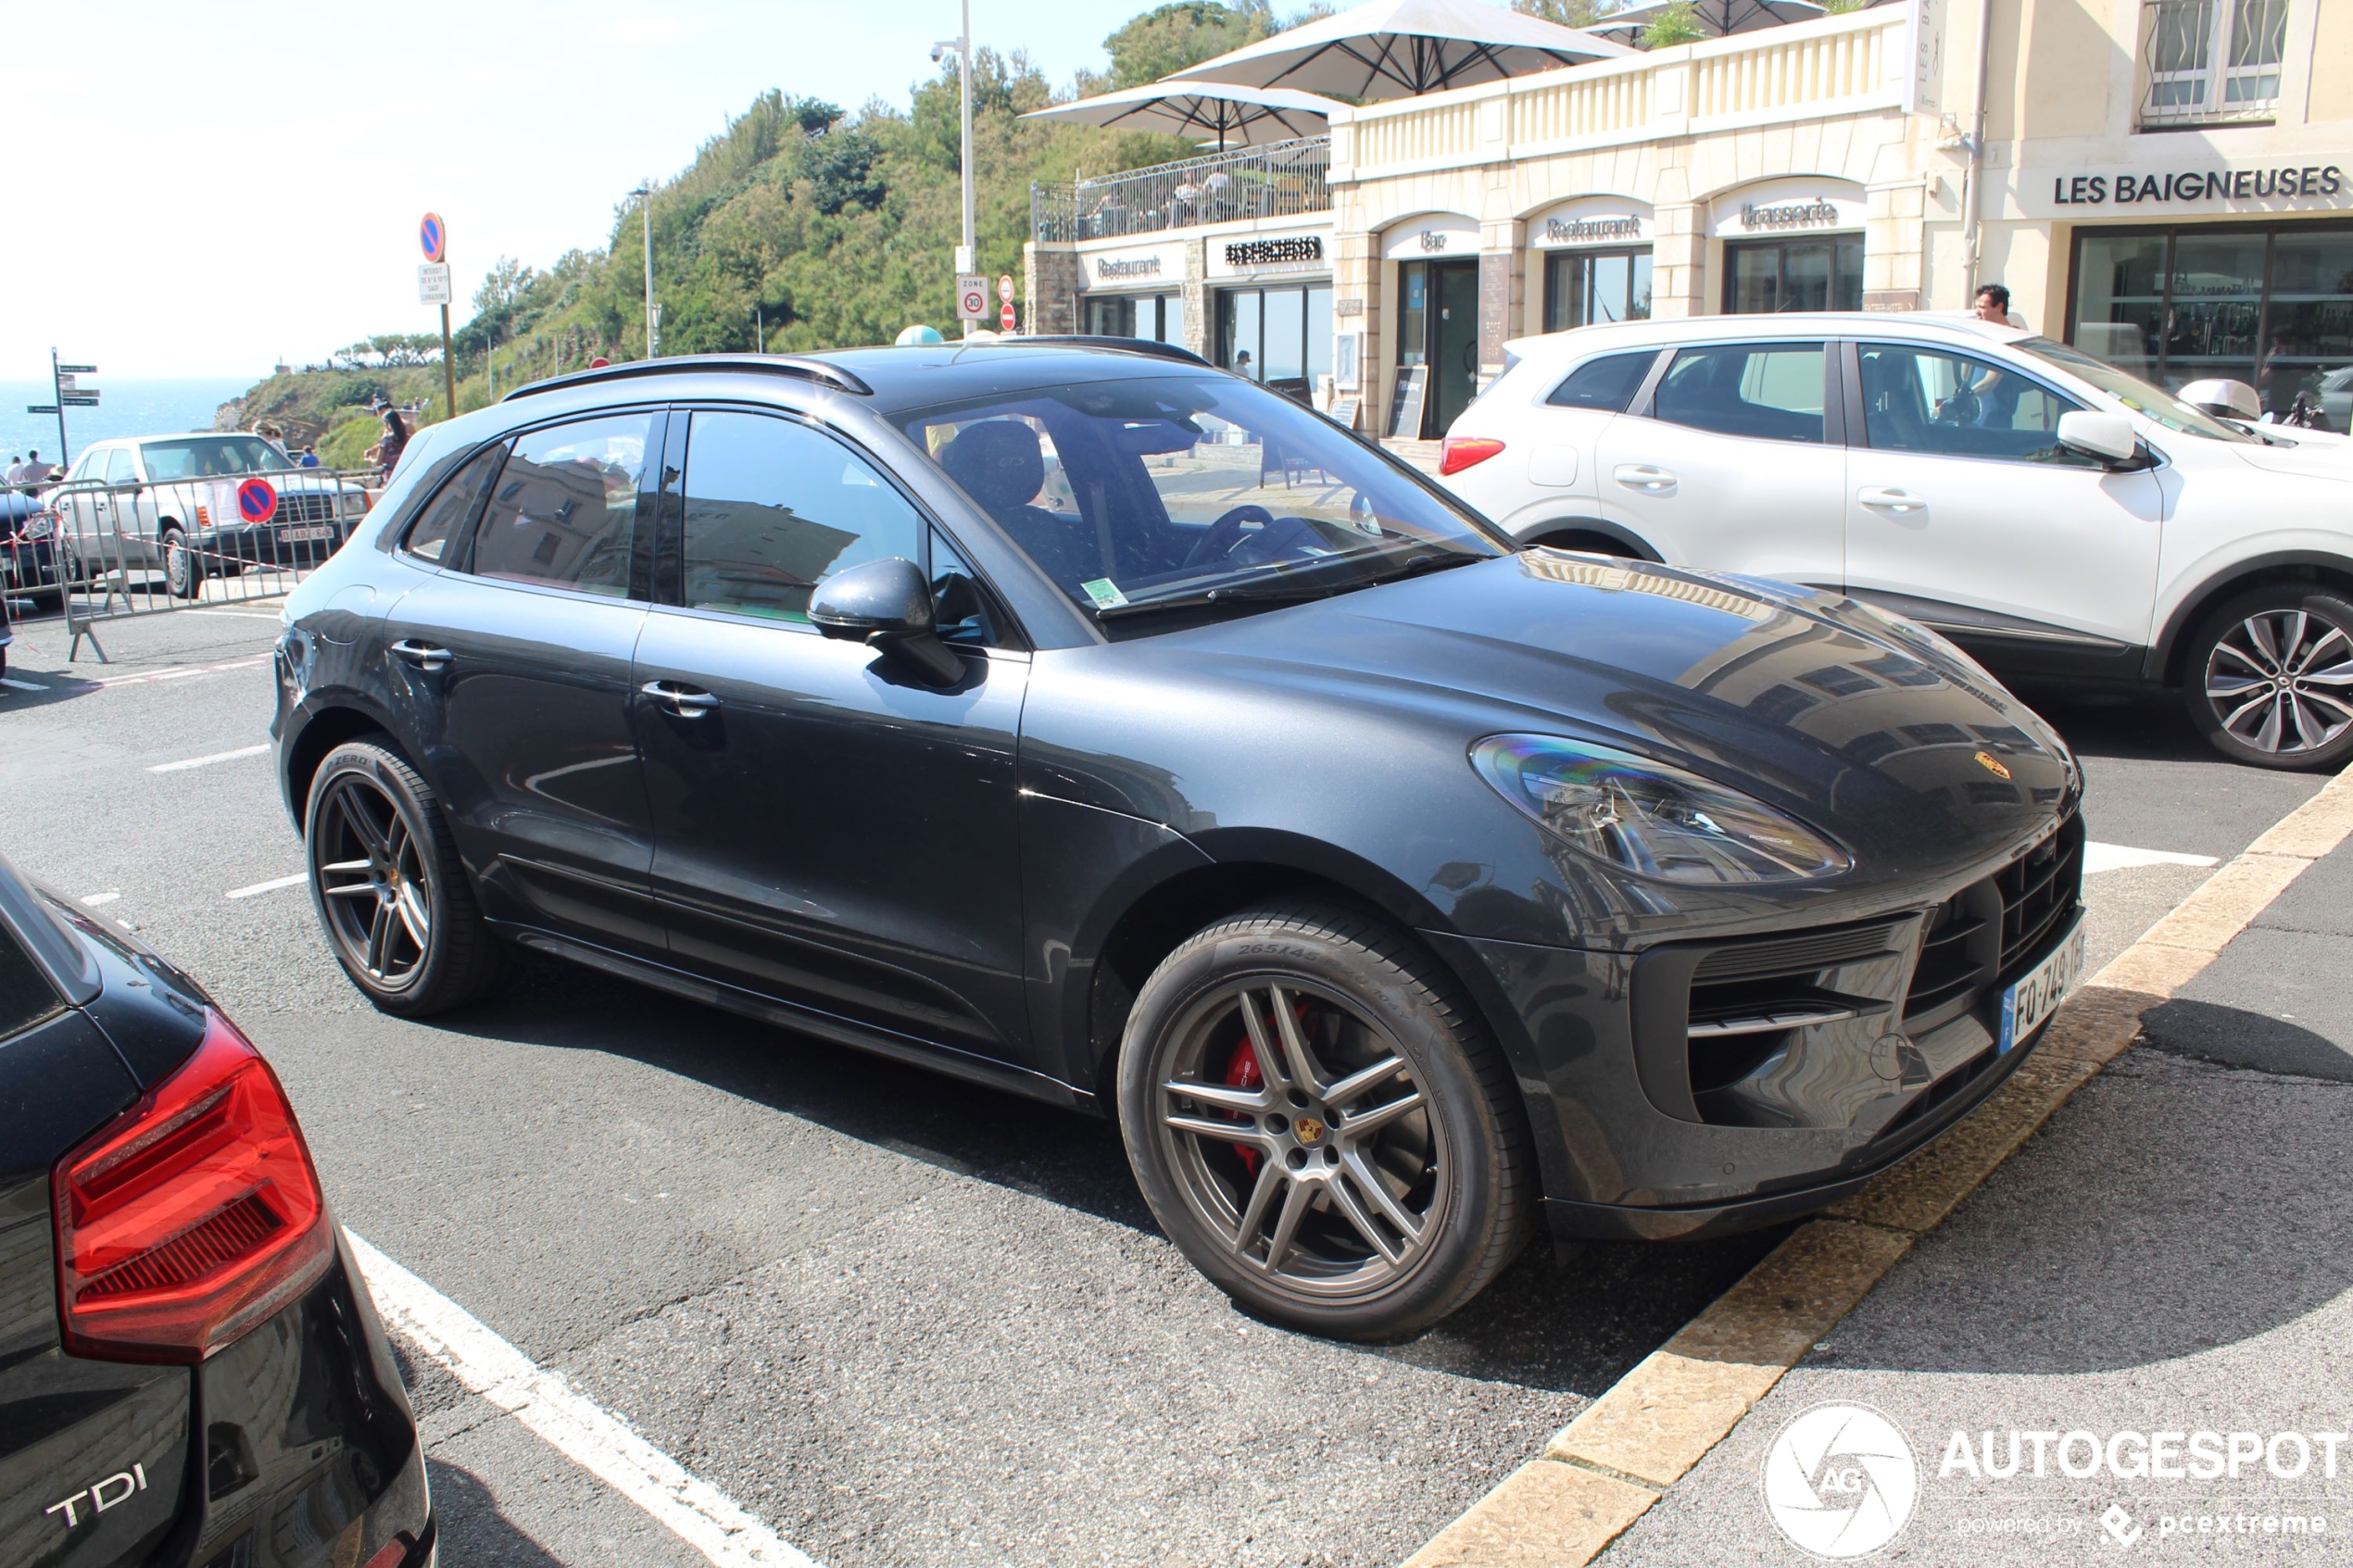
(189, 1362)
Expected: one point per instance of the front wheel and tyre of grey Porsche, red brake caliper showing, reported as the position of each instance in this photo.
(1321, 1125)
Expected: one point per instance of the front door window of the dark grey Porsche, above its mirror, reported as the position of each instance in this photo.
(775, 509)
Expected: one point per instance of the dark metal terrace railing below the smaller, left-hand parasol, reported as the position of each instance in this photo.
(1284, 180)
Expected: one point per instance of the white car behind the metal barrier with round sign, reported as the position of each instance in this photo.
(168, 507)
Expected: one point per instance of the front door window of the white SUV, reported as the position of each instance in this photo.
(1959, 406)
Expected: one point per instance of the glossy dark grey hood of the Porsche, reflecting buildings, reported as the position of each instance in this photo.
(1862, 725)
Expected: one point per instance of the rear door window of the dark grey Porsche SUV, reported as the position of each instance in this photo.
(566, 507)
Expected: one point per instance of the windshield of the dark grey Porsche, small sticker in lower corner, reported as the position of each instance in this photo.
(1168, 488)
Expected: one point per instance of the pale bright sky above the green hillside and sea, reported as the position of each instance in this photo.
(211, 189)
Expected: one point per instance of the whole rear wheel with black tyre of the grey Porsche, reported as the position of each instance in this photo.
(389, 887)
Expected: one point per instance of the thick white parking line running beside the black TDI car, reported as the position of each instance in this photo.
(698, 1513)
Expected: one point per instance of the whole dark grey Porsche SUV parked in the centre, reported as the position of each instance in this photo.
(1105, 728)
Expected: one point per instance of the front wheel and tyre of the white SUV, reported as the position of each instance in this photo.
(2269, 678)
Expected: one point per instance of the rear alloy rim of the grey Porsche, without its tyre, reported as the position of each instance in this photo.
(375, 883)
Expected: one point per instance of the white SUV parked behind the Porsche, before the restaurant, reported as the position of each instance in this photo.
(2029, 502)
